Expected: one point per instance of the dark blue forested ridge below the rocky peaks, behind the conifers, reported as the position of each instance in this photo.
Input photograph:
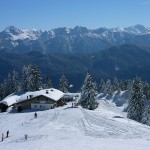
(123, 62)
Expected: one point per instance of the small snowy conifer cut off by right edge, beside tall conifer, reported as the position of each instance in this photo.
(146, 116)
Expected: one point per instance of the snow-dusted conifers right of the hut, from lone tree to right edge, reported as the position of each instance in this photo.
(139, 94)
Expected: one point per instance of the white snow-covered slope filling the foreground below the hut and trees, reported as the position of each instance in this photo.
(66, 128)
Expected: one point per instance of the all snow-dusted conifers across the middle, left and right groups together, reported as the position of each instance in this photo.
(31, 80)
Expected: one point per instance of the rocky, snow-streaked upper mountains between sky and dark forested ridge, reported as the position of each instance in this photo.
(67, 40)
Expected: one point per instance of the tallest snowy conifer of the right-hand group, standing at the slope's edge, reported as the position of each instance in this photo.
(136, 102)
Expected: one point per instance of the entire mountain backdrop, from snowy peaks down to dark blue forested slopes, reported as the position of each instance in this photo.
(107, 53)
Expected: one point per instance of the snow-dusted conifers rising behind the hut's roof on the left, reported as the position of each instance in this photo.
(31, 80)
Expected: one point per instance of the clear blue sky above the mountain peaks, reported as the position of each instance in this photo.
(49, 14)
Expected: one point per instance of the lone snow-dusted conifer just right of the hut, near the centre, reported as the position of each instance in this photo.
(88, 94)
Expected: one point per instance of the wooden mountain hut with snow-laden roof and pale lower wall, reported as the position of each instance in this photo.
(39, 100)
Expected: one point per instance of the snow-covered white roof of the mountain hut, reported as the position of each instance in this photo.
(51, 93)
